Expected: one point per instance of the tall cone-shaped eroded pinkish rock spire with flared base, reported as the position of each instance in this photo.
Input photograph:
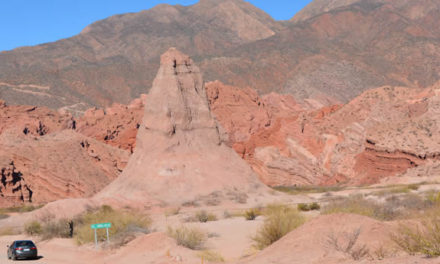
(179, 154)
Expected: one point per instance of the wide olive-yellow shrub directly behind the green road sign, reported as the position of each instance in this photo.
(123, 223)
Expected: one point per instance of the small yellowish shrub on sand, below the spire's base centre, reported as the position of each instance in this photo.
(192, 238)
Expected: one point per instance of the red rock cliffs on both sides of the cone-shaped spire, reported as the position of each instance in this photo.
(384, 133)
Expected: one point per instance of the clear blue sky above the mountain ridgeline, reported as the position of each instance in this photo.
(32, 22)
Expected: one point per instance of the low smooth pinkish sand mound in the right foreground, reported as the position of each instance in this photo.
(311, 243)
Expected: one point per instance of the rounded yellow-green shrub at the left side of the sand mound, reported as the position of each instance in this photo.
(280, 220)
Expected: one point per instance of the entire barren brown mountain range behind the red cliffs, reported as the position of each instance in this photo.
(330, 52)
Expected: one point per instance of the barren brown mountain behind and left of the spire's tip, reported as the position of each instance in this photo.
(114, 60)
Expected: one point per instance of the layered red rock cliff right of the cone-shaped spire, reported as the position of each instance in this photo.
(377, 135)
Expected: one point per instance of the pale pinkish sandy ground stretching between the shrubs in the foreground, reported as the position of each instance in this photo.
(230, 237)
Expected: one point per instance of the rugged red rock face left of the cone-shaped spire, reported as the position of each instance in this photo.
(43, 158)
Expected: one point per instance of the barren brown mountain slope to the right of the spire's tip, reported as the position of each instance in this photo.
(340, 52)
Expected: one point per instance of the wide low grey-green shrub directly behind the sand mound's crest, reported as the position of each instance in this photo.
(357, 204)
